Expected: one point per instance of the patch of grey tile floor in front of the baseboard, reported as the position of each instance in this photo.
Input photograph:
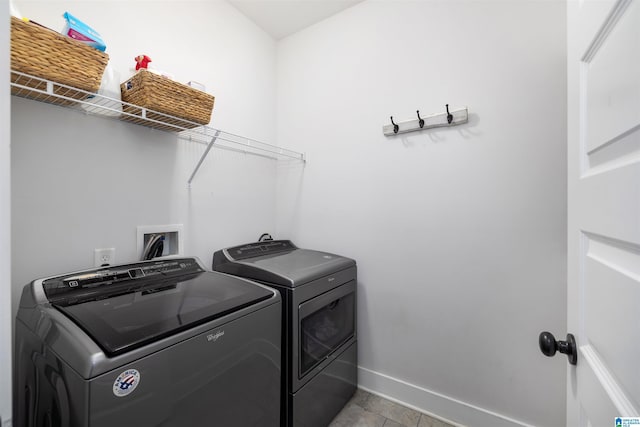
(368, 410)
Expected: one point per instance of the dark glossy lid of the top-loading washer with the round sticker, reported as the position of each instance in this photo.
(154, 308)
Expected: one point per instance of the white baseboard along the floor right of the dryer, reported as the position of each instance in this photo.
(447, 409)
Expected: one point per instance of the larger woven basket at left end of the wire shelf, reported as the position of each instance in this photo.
(44, 53)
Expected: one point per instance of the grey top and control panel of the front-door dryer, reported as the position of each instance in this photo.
(279, 262)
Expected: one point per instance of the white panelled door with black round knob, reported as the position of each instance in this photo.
(604, 210)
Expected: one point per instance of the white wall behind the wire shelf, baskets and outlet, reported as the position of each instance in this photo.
(81, 182)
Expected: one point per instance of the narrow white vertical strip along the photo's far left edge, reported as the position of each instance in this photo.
(5, 224)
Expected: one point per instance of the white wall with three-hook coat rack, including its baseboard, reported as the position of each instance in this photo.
(459, 233)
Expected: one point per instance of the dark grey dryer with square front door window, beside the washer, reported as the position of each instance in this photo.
(319, 323)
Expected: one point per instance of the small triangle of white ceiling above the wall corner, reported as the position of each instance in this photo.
(280, 18)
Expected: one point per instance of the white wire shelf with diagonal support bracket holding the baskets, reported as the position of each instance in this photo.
(28, 86)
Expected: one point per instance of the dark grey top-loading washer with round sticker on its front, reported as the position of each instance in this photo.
(156, 343)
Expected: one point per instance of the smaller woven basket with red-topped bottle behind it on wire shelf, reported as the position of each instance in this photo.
(188, 107)
